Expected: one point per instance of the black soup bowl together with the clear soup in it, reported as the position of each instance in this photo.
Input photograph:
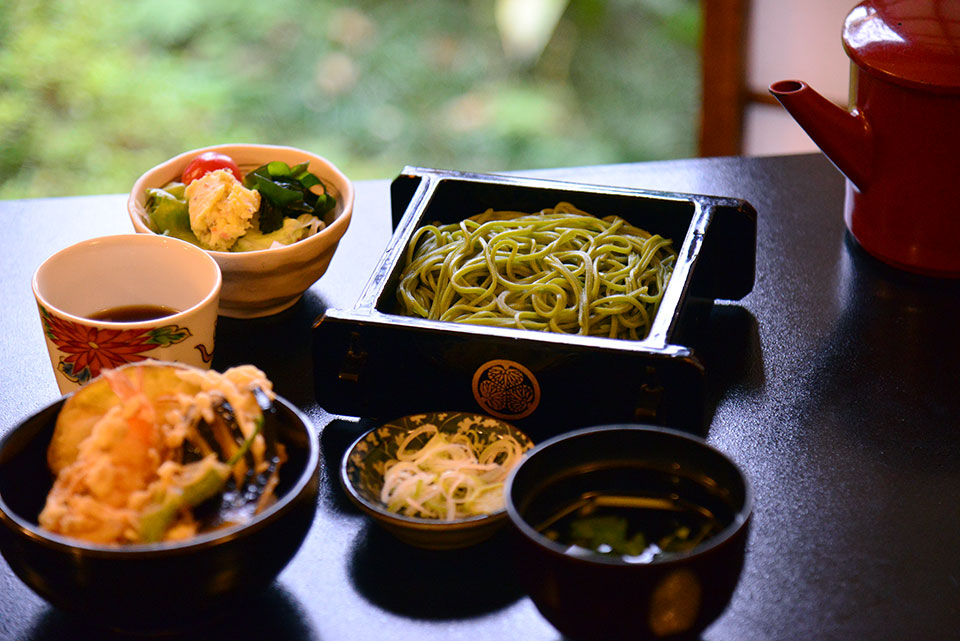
(629, 531)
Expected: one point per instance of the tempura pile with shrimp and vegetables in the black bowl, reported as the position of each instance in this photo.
(157, 452)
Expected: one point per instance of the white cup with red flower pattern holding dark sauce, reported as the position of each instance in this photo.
(121, 299)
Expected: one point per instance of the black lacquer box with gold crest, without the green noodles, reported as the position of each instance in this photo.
(372, 362)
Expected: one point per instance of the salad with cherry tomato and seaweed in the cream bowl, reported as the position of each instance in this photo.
(218, 207)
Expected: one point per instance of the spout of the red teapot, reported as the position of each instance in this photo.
(844, 137)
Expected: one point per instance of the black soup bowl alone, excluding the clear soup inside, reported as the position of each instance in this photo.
(593, 596)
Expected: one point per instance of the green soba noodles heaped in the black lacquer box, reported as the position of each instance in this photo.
(560, 270)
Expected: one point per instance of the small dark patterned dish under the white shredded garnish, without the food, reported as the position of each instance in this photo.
(362, 476)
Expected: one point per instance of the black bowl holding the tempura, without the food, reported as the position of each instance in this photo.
(158, 586)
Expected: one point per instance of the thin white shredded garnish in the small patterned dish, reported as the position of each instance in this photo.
(451, 476)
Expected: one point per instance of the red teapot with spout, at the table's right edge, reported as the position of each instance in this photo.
(899, 143)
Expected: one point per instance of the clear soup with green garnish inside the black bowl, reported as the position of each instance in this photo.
(634, 513)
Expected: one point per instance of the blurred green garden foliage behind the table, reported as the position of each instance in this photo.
(94, 92)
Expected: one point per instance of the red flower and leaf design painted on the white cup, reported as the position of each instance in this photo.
(89, 350)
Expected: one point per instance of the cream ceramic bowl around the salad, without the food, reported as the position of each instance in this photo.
(263, 282)
